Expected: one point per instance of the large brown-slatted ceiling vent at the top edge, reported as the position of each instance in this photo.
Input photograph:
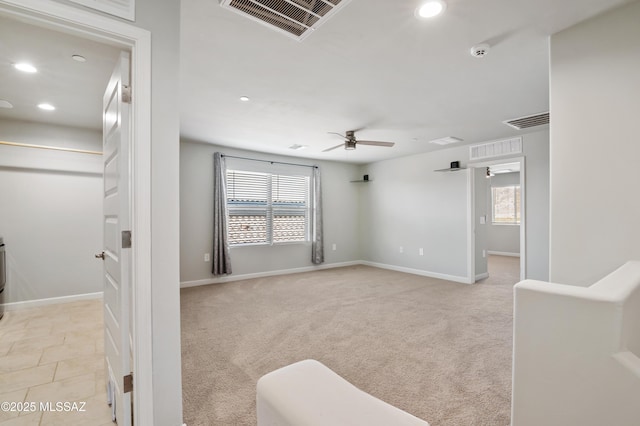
(295, 18)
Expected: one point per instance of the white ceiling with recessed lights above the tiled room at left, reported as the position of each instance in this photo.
(74, 88)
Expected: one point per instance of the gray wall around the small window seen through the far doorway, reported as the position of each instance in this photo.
(502, 238)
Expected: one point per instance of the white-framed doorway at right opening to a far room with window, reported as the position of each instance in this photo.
(497, 220)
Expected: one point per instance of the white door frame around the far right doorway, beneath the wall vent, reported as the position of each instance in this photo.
(471, 213)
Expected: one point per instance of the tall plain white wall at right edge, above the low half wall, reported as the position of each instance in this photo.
(595, 105)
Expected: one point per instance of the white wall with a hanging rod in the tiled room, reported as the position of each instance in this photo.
(50, 211)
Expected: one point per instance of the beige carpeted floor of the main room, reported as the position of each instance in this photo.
(437, 349)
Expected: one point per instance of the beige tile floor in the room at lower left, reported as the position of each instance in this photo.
(53, 354)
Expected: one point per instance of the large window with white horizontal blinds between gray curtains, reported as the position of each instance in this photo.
(266, 208)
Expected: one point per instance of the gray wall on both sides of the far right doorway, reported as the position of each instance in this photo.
(408, 204)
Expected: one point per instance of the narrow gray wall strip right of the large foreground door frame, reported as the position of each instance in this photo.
(162, 19)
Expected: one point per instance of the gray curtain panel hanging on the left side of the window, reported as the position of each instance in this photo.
(221, 257)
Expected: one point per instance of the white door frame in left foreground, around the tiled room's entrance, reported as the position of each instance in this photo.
(138, 41)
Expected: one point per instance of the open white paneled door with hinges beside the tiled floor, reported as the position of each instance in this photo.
(117, 251)
